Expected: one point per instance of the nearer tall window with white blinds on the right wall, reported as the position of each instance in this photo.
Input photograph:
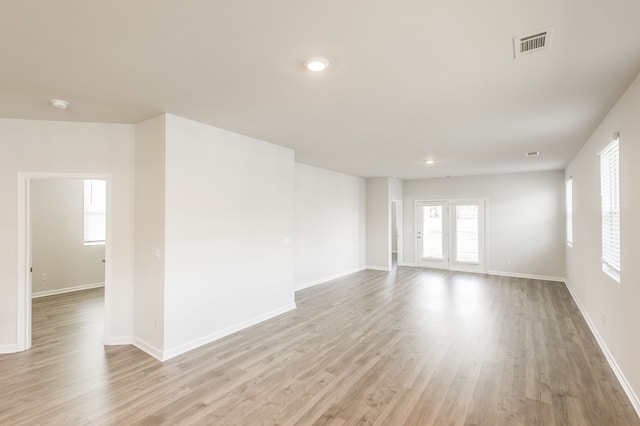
(610, 197)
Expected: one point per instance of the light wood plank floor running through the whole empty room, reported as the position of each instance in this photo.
(414, 347)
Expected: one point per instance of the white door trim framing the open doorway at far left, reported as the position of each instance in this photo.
(24, 290)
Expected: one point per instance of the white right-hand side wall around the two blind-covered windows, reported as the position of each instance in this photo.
(611, 307)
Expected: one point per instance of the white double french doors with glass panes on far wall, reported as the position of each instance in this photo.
(451, 235)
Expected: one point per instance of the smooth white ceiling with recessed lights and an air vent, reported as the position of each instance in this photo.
(409, 79)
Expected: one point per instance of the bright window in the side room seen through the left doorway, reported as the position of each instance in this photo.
(95, 207)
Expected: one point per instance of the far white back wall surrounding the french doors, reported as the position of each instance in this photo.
(525, 218)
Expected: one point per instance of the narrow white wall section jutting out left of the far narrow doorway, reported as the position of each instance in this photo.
(378, 219)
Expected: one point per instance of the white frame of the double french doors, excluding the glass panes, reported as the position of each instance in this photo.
(484, 246)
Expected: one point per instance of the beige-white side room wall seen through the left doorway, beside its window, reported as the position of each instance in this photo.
(57, 238)
